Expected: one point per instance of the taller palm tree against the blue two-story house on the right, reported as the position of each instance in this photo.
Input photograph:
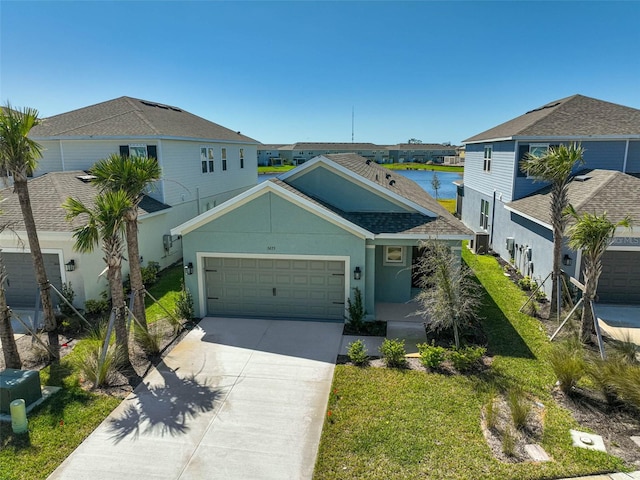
(555, 167)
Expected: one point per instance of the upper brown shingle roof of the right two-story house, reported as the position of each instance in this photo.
(575, 116)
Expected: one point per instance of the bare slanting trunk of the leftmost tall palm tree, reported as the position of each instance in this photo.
(50, 325)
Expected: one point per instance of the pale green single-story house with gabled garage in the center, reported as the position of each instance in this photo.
(296, 246)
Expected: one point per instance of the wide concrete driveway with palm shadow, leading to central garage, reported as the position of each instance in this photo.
(236, 399)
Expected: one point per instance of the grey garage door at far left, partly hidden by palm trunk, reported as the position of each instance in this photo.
(22, 287)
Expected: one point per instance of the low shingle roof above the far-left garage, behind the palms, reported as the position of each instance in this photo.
(48, 192)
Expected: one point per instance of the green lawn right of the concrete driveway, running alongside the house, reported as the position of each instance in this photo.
(407, 424)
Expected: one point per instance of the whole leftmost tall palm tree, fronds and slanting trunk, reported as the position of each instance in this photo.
(18, 157)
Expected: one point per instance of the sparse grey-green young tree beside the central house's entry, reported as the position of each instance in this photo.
(449, 298)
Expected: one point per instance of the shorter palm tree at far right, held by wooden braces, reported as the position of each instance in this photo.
(592, 234)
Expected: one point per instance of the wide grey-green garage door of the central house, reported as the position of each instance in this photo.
(285, 288)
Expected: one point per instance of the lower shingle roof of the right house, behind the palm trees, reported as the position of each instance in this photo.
(593, 191)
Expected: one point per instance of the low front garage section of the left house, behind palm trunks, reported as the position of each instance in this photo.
(48, 192)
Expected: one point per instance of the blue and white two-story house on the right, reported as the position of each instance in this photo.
(493, 179)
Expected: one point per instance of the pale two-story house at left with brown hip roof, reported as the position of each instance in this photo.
(203, 164)
